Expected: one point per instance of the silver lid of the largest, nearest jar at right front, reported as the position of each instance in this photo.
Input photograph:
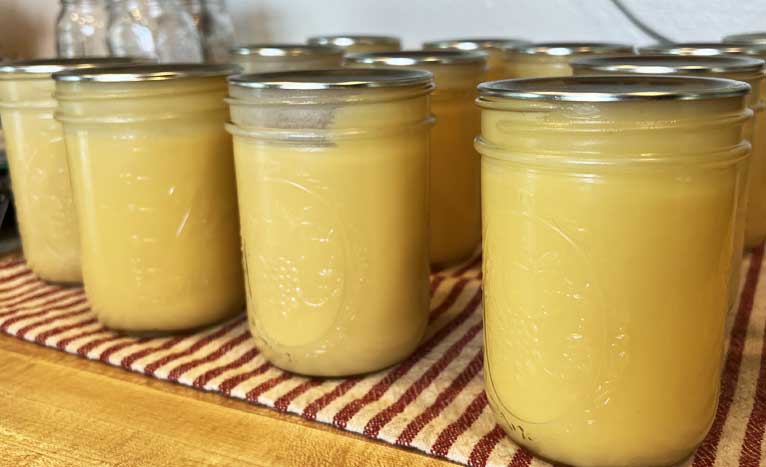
(614, 88)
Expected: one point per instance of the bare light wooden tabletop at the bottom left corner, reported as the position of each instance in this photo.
(58, 409)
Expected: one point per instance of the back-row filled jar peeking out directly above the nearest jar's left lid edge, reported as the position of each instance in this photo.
(552, 59)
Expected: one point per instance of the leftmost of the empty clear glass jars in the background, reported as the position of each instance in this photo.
(81, 29)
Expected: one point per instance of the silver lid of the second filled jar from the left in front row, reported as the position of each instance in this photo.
(156, 72)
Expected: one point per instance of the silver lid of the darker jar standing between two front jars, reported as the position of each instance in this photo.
(418, 57)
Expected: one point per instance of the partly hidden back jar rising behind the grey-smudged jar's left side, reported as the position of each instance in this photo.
(263, 58)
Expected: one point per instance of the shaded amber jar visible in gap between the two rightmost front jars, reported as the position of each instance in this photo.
(455, 184)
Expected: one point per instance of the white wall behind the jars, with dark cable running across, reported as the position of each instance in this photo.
(26, 26)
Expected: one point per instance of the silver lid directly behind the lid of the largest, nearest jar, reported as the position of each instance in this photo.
(668, 64)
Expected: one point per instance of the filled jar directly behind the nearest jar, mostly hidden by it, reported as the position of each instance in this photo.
(747, 69)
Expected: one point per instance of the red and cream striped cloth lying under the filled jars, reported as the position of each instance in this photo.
(434, 401)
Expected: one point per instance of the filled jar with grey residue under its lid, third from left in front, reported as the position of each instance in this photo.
(332, 179)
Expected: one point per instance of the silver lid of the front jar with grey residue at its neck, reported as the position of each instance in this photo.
(340, 78)
